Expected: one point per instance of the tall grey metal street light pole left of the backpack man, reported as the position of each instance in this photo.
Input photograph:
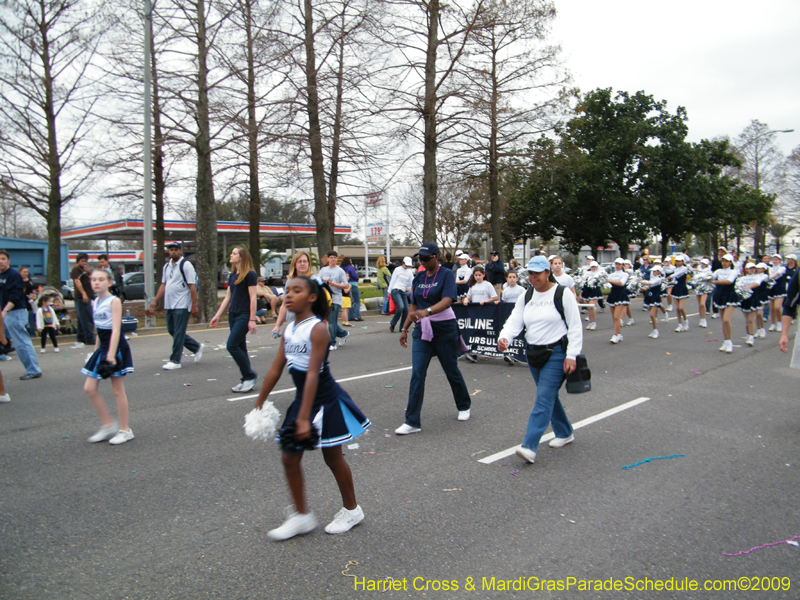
(147, 238)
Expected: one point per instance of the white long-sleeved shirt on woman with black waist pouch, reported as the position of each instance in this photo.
(543, 325)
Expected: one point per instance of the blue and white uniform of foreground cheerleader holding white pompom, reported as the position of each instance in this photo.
(334, 414)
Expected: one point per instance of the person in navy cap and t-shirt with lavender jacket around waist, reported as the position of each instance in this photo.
(436, 333)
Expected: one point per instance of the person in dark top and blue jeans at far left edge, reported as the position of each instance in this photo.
(15, 315)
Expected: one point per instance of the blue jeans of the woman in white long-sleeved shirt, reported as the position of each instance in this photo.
(548, 408)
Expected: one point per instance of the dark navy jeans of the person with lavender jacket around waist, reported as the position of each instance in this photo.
(445, 346)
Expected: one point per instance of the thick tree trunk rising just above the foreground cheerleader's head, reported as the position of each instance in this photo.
(321, 214)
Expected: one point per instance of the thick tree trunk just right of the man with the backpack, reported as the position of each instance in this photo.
(206, 207)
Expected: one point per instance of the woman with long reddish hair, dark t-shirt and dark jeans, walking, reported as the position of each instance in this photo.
(241, 298)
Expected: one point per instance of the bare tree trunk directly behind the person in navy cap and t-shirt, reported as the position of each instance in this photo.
(429, 176)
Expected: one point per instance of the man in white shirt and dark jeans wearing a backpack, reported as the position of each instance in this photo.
(179, 290)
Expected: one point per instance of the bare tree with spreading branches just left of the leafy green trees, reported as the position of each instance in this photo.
(514, 86)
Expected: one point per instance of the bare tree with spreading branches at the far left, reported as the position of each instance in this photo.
(47, 48)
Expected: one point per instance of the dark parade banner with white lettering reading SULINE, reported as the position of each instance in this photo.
(480, 327)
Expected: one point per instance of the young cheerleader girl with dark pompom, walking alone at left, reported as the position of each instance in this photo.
(112, 348)
